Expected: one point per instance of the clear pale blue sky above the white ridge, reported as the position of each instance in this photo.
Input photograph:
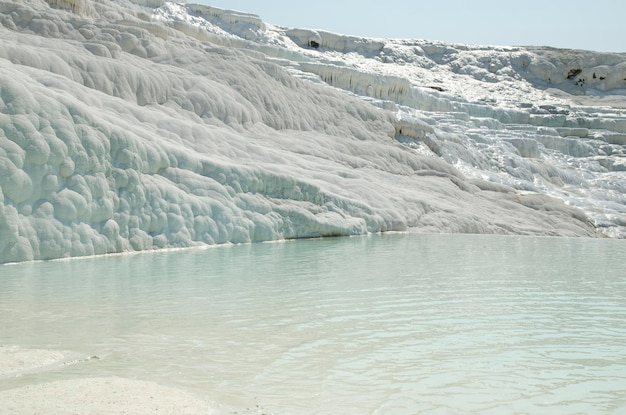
(593, 25)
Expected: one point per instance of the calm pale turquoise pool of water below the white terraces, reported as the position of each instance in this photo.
(391, 324)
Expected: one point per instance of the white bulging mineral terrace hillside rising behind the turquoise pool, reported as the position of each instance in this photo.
(146, 124)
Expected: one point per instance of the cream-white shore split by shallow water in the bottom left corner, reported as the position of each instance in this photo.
(100, 395)
